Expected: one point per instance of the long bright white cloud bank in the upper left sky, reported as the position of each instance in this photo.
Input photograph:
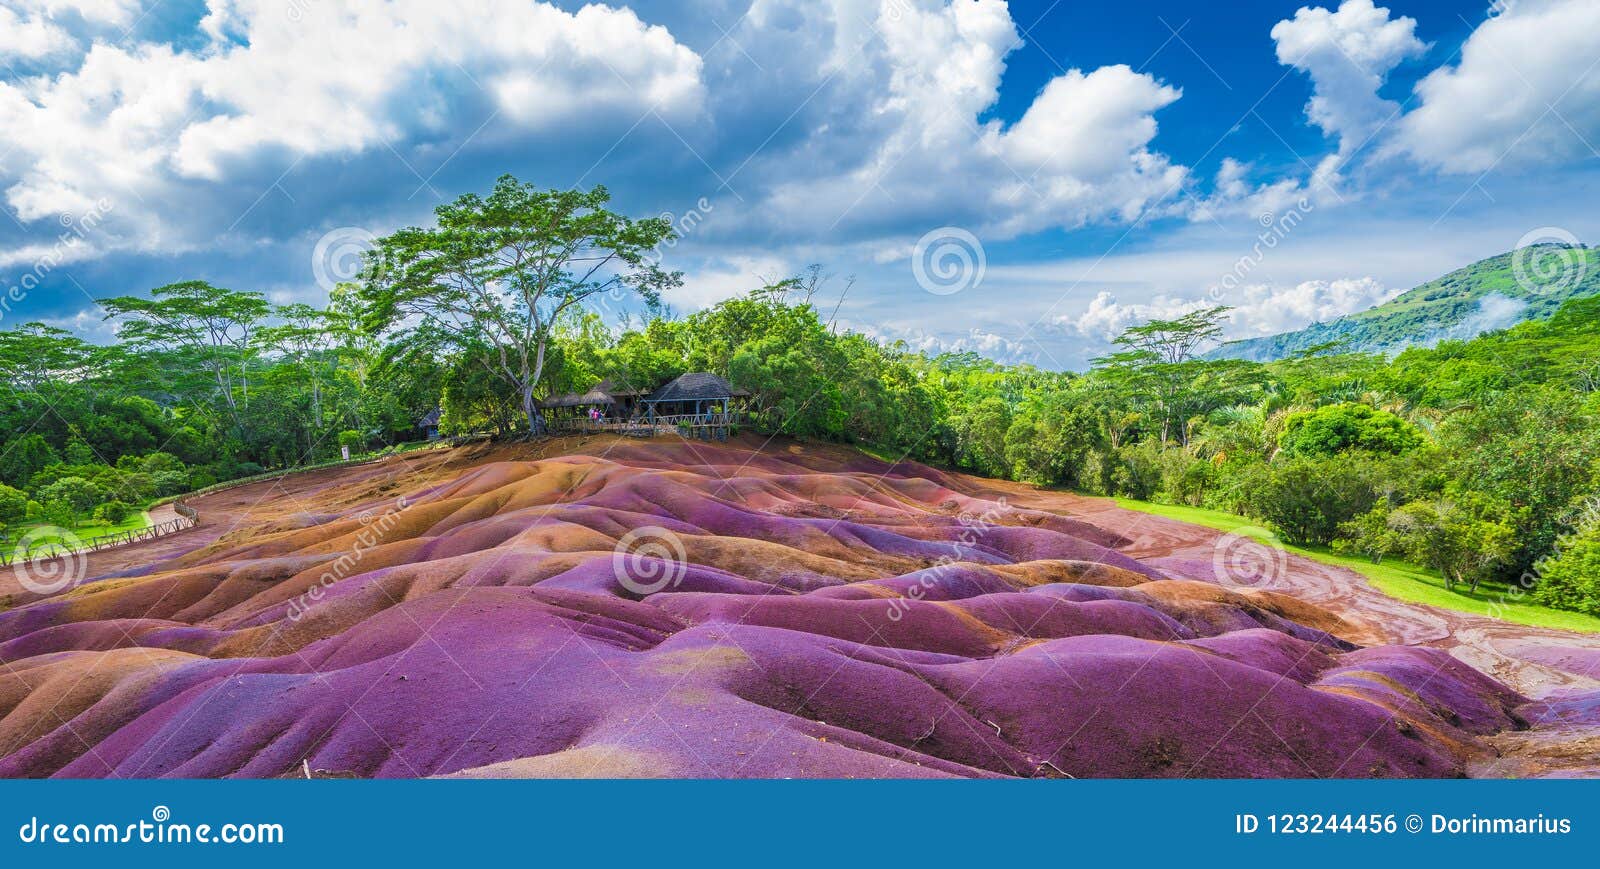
(146, 122)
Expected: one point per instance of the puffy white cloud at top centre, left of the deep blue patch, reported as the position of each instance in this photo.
(1081, 153)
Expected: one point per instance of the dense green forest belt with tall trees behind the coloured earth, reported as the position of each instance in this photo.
(1478, 459)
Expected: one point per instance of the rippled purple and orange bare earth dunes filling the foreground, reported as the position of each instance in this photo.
(663, 609)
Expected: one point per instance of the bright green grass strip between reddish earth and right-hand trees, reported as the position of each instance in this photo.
(1394, 579)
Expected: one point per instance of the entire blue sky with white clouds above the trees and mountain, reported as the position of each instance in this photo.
(1103, 162)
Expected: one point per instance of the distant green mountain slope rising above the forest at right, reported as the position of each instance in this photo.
(1489, 295)
